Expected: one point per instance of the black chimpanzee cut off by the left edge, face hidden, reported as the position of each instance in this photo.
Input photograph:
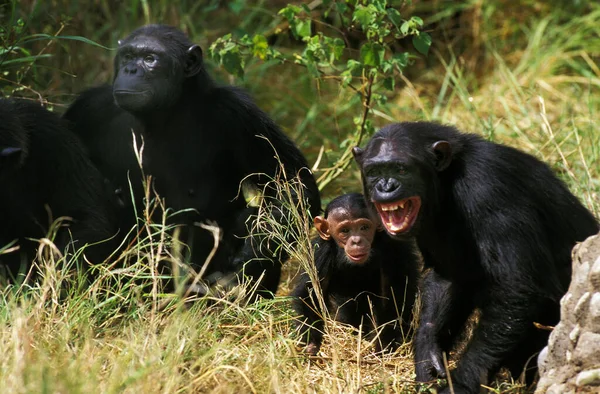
(45, 175)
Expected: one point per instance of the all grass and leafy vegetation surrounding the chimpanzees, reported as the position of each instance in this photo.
(526, 75)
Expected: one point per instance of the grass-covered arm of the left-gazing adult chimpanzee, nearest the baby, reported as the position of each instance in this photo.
(263, 151)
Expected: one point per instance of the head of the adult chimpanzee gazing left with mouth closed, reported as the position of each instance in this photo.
(149, 74)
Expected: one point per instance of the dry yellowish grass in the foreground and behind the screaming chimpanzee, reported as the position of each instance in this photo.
(120, 336)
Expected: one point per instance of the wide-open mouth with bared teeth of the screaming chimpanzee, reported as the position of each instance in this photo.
(398, 217)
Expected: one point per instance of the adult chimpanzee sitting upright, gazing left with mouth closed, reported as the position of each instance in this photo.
(201, 139)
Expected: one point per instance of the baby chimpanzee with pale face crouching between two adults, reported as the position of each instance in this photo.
(358, 266)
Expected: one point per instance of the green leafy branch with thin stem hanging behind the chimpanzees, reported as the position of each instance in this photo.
(326, 28)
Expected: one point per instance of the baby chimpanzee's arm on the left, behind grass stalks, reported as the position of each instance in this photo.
(305, 300)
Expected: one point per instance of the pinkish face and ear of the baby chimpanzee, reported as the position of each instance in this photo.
(353, 234)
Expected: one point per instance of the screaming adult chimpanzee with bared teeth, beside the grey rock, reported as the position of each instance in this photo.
(496, 228)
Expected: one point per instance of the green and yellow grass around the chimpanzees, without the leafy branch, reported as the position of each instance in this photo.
(524, 76)
